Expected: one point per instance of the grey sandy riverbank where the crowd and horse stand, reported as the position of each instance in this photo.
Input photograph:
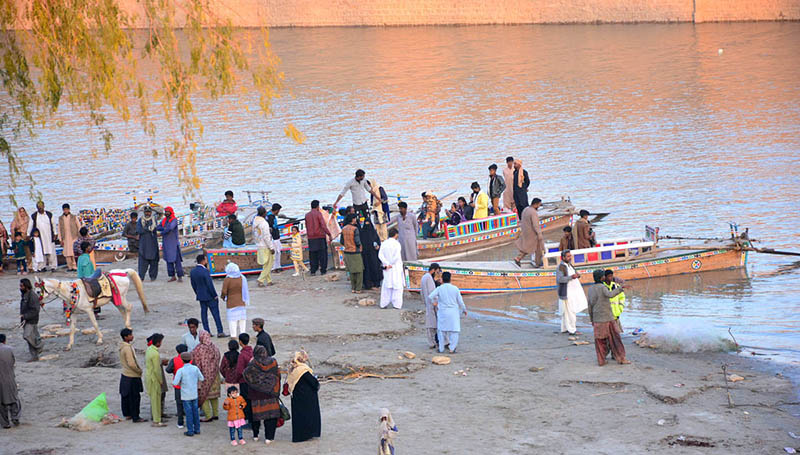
(527, 390)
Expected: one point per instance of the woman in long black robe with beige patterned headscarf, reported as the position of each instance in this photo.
(303, 386)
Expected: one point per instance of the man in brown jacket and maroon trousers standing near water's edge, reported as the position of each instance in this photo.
(606, 333)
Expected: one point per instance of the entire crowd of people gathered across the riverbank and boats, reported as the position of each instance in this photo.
(249, 377)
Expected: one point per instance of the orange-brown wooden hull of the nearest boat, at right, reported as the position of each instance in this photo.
(511, 279)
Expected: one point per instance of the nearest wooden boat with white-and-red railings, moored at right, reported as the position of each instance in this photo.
(630, 259)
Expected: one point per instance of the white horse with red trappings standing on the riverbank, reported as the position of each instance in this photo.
(66, 290)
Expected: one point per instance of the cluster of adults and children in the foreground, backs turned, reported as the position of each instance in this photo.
(248, 375)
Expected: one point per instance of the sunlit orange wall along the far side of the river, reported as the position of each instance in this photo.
(316, 13)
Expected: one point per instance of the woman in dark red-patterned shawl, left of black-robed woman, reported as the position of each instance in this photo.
(263, 386)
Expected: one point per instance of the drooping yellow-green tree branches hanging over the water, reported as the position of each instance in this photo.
(86, 54)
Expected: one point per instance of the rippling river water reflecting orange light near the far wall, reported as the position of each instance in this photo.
(680, 126)
